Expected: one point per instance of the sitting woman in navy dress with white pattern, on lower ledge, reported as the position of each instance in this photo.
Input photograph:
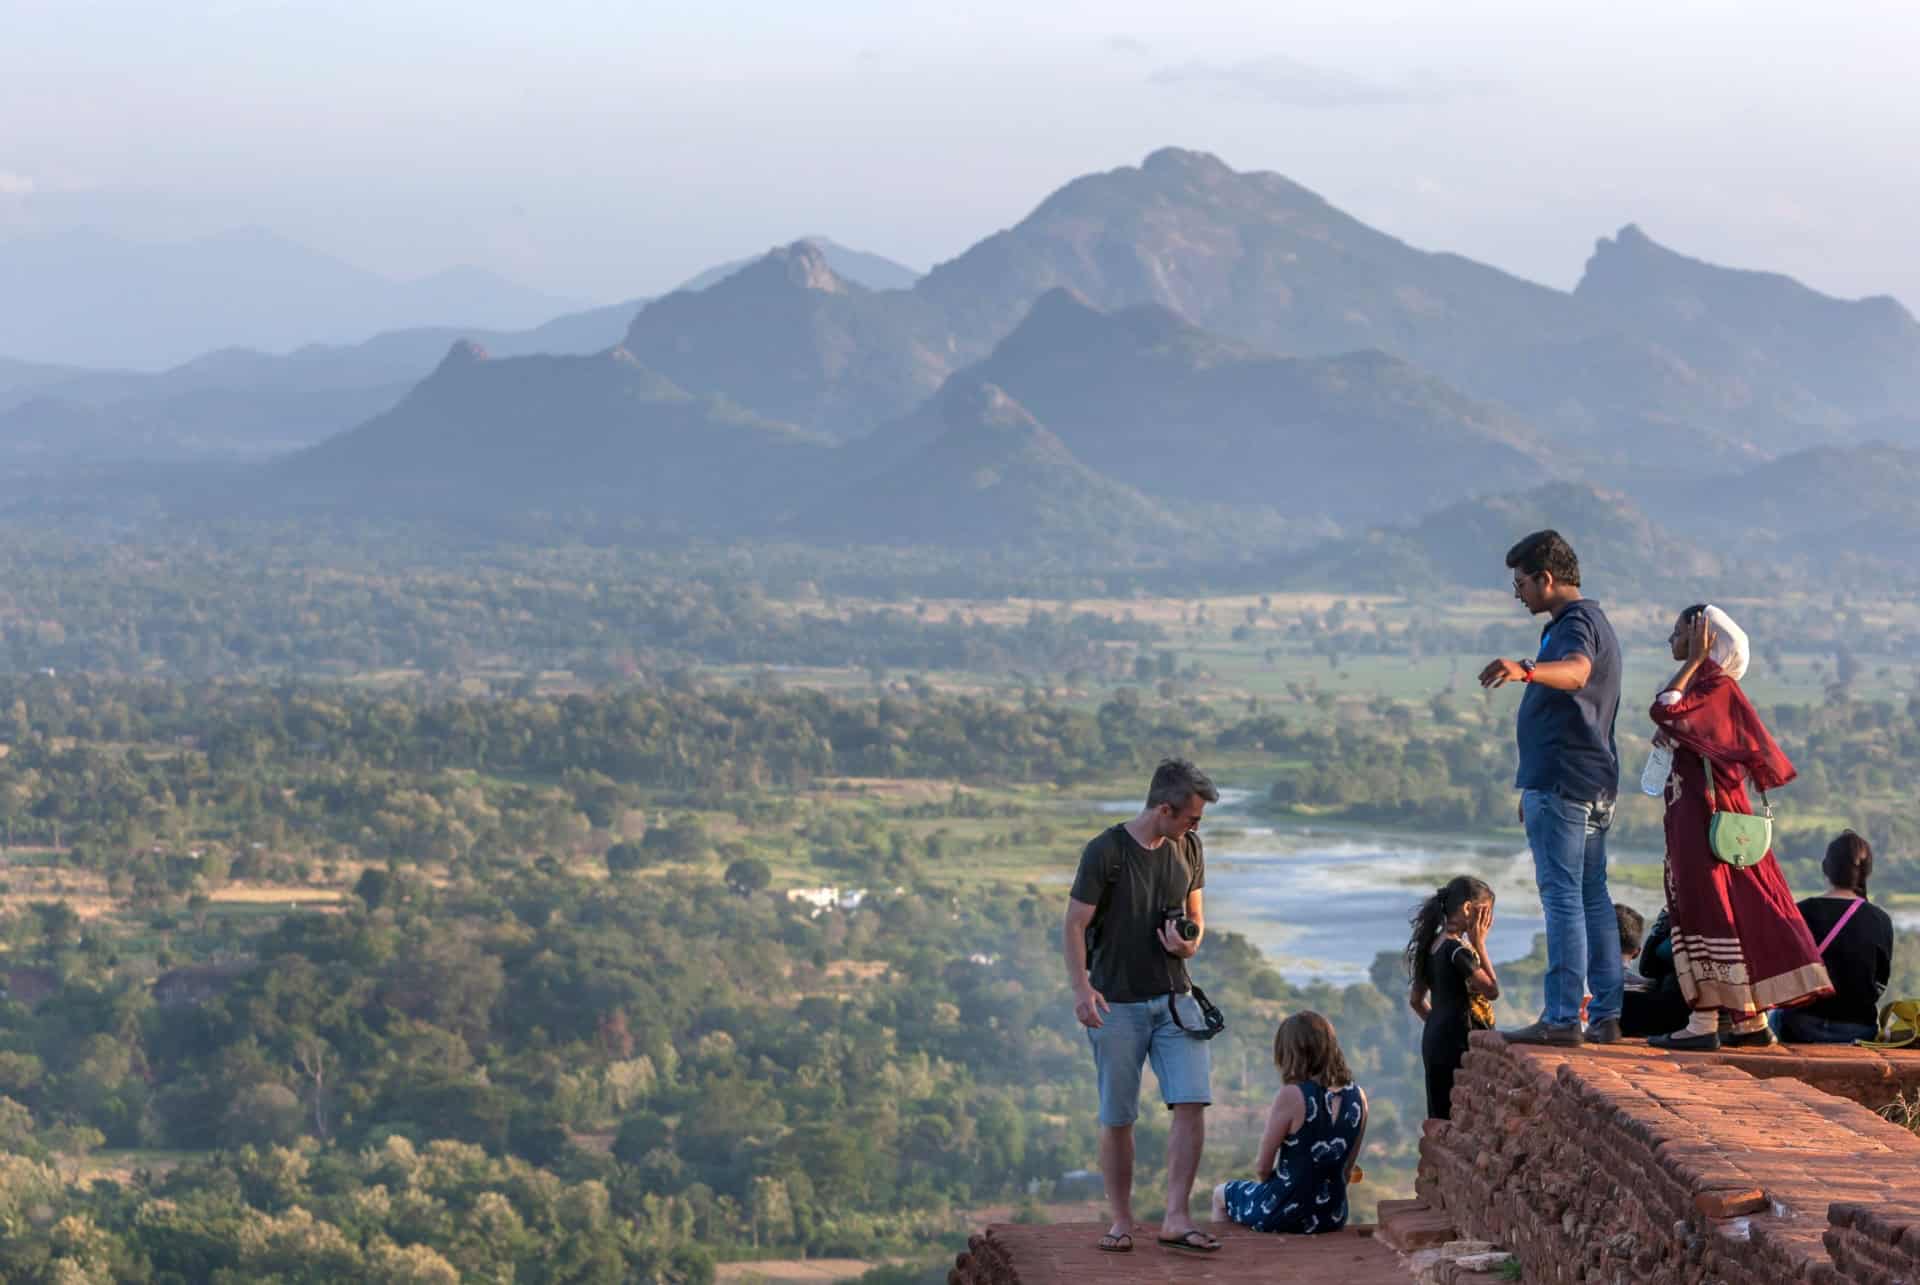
(1312, 1140)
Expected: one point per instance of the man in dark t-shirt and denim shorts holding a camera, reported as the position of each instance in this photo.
(1128, 971)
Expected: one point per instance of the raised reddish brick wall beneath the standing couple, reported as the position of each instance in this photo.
(1629, 1163)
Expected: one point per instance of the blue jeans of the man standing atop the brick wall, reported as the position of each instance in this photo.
(1570, 840)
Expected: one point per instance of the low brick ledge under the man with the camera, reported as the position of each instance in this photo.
(1067, 1255)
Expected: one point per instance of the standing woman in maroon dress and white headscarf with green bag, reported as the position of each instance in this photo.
(1740, 944)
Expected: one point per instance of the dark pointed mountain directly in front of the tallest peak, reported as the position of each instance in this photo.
(1143, 395)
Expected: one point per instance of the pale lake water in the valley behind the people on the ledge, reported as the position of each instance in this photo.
(1322, 902)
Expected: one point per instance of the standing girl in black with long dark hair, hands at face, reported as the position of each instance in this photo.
(1451, 971)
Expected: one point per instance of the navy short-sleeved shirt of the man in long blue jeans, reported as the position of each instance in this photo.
(1568, 737)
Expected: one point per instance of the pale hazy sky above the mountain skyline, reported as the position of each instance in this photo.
(606, 149)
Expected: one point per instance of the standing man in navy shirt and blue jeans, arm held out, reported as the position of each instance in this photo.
(1570, 777)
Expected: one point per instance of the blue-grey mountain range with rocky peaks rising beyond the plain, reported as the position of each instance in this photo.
(1166, 356)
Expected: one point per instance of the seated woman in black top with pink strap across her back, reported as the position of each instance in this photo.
(1860, 958)
